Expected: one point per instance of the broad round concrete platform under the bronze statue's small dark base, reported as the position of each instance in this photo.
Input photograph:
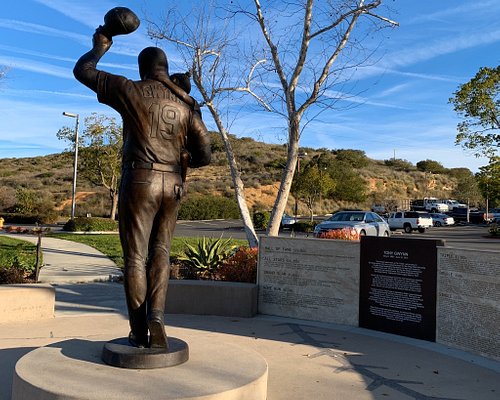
(73, 369)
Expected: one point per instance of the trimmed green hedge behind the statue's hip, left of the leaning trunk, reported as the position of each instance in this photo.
(208, 207)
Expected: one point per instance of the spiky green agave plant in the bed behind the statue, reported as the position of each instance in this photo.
(207, 256)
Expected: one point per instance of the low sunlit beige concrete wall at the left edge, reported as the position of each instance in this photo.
(25, 302)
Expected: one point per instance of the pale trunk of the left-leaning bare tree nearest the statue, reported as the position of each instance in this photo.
(239, 187)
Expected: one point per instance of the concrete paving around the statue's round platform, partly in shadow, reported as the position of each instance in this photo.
(306, 360)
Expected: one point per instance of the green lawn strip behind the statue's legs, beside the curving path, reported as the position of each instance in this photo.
(110, 244)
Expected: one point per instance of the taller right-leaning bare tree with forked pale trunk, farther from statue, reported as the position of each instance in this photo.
(312, 47)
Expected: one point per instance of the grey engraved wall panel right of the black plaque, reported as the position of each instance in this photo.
(468, 307)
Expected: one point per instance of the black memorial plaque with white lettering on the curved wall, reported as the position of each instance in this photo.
(398, 286)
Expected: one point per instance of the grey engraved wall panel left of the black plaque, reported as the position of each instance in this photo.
(312, 279)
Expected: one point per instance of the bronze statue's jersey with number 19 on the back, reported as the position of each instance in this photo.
(156, 123)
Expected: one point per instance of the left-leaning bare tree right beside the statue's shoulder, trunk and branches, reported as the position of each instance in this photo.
(205, 49)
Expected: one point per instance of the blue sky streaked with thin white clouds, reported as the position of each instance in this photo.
(401, 110)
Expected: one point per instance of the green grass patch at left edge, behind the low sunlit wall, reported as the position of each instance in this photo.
(19, 252)
